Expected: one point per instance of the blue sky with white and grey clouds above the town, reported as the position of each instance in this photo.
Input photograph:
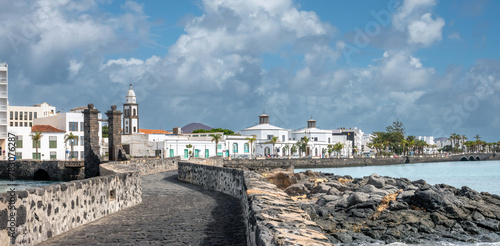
(433, 65)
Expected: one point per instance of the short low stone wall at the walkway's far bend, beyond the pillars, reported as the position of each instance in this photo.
(144, 166)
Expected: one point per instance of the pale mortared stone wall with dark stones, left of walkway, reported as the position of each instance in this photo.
(51, 210)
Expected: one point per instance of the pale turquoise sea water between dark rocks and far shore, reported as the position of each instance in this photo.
(478, 175)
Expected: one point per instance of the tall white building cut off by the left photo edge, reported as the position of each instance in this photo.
(4, 99)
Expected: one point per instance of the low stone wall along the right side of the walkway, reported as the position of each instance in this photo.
(271, 216)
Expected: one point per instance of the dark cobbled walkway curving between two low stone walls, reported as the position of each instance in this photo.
(172, 213)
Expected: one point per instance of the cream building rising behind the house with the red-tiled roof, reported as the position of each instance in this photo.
(23, 116)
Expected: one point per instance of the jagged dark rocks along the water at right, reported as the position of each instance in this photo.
(385, 210)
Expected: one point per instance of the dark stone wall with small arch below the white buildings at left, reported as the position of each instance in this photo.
(57, 170)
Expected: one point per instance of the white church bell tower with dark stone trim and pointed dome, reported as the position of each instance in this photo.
(130, 113)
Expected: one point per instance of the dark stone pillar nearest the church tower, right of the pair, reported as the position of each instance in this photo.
(114, 133)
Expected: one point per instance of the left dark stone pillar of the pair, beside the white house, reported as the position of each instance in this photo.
(91, 138)
